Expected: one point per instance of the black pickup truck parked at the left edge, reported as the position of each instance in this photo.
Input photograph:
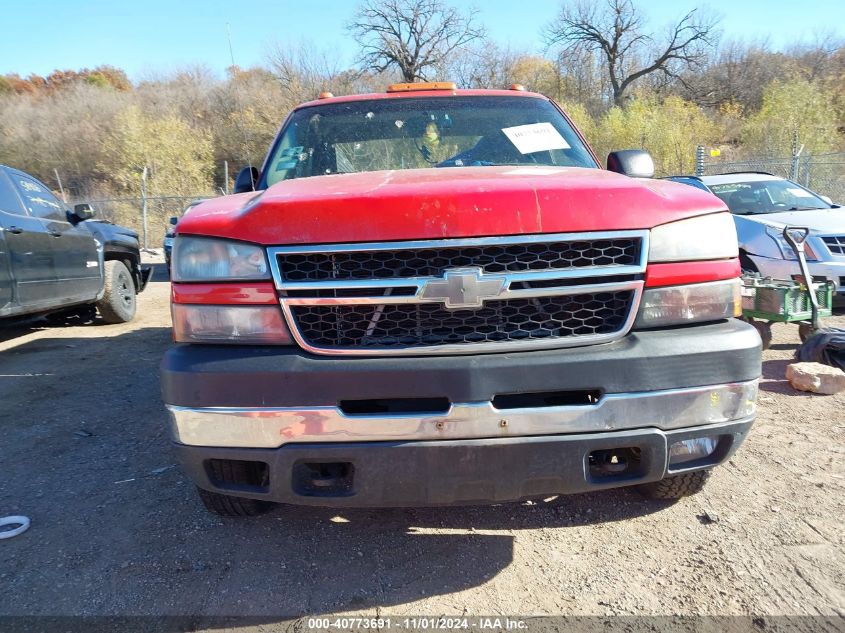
(54, 259)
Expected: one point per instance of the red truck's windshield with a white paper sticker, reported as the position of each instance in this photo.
(413, 133)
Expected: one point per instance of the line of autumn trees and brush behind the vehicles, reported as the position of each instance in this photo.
(625, 82)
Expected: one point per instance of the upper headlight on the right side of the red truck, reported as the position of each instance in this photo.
(705, 237)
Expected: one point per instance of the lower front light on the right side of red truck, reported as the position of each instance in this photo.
(678, 305)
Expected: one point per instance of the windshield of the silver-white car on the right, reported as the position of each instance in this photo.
(767, 196)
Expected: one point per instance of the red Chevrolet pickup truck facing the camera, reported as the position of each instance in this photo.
(435, 296)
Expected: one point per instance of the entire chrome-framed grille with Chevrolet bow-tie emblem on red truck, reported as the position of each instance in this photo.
(461, 296)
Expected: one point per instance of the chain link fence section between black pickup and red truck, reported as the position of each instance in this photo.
(149, 216)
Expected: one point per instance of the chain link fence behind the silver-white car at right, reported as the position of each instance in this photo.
(822, 173)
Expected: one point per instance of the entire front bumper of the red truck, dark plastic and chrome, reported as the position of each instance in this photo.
(290, 411)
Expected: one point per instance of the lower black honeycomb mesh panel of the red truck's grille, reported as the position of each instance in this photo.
(425, 325)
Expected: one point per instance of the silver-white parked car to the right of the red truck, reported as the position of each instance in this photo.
(762, 206)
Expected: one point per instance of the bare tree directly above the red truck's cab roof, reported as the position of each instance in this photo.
(415, 36)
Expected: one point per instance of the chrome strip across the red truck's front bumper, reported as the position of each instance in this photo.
(275, 427)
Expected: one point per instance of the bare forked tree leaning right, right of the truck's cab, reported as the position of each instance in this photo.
(615, 30)
